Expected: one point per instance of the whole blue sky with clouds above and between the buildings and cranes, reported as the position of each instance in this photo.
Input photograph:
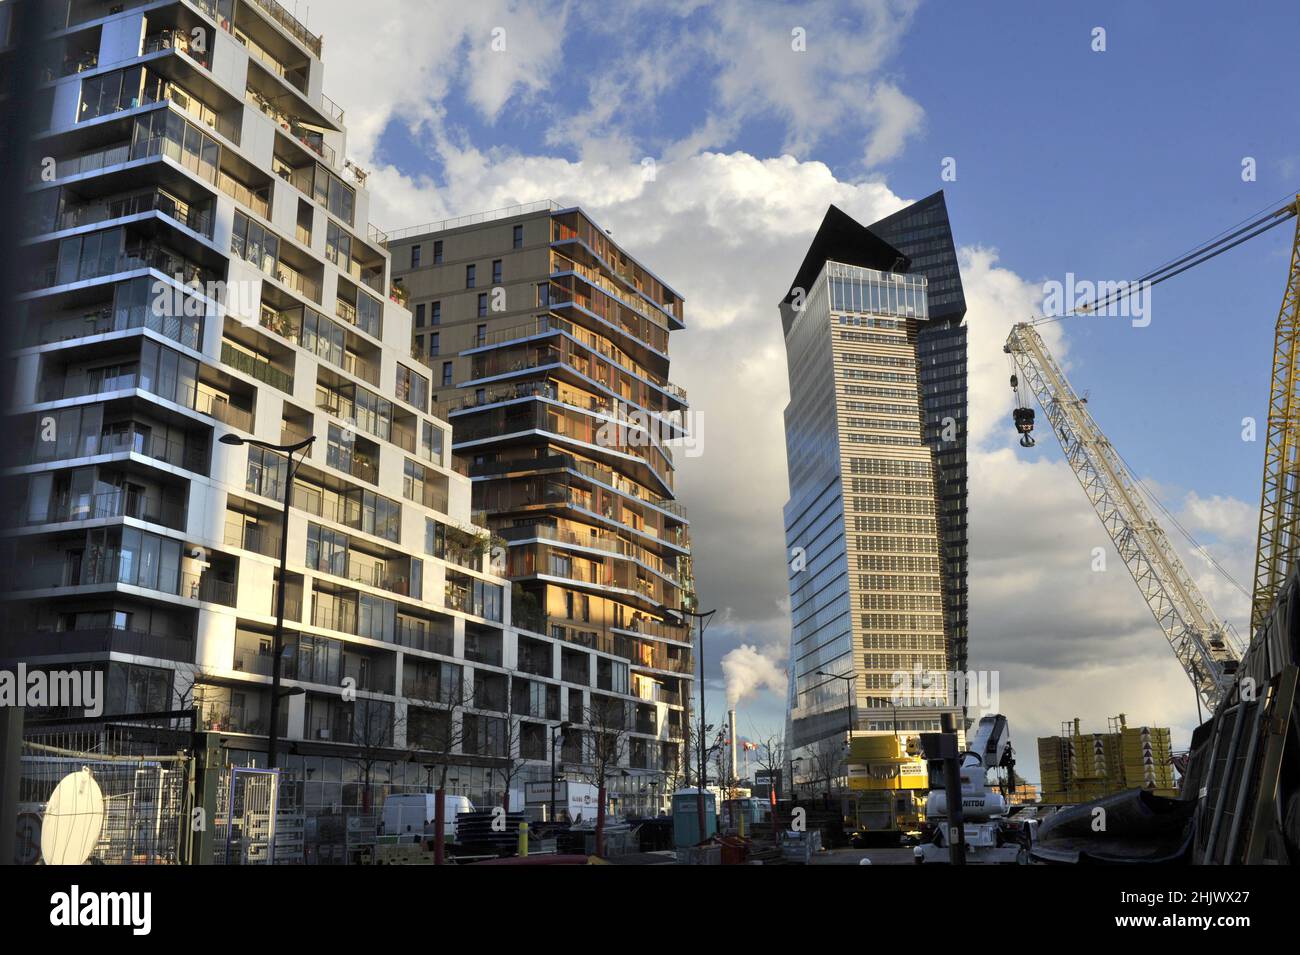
(712, 137)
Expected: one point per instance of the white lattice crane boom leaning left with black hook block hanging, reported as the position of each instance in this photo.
(1198, 639)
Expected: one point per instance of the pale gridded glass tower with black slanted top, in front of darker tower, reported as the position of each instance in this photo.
(863, 529)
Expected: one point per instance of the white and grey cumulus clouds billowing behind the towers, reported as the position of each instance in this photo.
(729, 229)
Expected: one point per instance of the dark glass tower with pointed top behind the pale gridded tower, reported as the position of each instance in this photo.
(924, 233)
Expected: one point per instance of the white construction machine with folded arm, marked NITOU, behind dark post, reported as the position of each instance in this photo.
(991, 834)
